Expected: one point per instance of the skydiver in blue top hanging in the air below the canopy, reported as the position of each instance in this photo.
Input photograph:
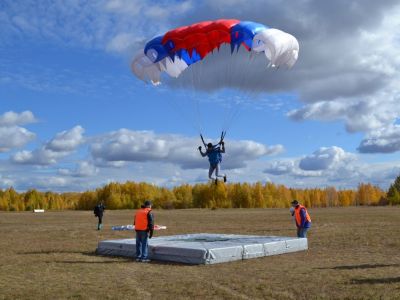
(214, 153)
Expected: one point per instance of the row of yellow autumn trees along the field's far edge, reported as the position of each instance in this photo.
(130, 195)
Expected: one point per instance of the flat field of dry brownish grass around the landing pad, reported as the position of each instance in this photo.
(354, 253)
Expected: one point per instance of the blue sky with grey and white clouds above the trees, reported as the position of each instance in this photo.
(74, 117)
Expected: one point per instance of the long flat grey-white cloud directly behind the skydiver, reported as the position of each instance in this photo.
(146, 146)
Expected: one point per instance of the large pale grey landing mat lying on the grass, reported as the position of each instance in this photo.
(205, 248)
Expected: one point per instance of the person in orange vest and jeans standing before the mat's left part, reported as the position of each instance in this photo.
(144, 227)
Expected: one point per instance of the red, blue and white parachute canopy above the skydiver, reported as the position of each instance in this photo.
(179, 48)
